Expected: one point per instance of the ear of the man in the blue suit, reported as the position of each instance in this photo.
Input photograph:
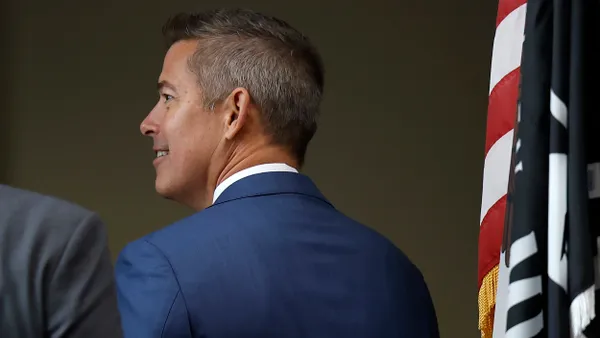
(236, 109)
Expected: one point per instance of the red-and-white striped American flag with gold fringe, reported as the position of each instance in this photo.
(502, 107)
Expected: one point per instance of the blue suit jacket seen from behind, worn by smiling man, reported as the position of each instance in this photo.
(271, 258)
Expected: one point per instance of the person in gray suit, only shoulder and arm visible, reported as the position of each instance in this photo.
(56, 274)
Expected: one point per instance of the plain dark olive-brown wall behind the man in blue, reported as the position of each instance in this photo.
(400, 144)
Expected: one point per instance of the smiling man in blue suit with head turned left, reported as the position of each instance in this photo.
(266, 255)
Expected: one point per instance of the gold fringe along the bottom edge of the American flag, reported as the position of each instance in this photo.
(487, 302)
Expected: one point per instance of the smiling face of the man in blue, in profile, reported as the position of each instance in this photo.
(185, 134)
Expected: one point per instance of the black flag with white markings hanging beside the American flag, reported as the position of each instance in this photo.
(554, 212)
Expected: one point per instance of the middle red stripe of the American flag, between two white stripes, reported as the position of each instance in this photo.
(502, 108)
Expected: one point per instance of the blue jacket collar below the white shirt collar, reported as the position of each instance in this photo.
(271, 183)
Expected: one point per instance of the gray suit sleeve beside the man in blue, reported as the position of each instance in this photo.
(81, 294)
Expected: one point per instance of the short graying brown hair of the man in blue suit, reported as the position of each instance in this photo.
(279, 67)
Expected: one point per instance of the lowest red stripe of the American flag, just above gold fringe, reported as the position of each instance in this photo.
(490, 238)
